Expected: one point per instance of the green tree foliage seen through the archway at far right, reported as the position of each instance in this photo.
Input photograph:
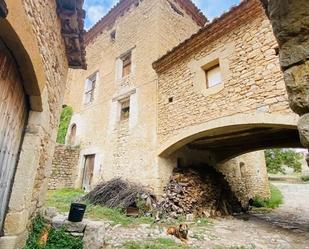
(278, 159)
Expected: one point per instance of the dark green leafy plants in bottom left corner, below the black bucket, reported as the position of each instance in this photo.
(56, 239)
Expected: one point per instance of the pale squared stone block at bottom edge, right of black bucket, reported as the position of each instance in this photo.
(94, 236)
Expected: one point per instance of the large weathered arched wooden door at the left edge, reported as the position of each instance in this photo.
(13, 116)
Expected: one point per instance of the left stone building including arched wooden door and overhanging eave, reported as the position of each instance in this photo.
(39, 41)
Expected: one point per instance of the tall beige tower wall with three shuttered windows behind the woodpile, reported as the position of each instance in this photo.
(125, 148)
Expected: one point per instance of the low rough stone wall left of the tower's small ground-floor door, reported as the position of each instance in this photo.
(64, 167)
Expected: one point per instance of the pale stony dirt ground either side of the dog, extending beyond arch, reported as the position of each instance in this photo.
(286, 227)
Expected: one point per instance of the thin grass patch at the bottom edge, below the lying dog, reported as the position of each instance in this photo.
(160, 243)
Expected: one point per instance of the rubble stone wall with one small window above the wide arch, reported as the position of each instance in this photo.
(252, 79)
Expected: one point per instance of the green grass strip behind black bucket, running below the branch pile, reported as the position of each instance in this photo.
(61, 199)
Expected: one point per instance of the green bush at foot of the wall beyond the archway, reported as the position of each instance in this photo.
(273, 202)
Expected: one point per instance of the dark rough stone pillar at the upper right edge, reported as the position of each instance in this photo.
(291, 27)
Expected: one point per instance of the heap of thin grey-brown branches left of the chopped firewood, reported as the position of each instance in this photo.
(118, 193)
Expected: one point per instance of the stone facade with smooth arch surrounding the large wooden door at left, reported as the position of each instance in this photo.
(32, 30)
